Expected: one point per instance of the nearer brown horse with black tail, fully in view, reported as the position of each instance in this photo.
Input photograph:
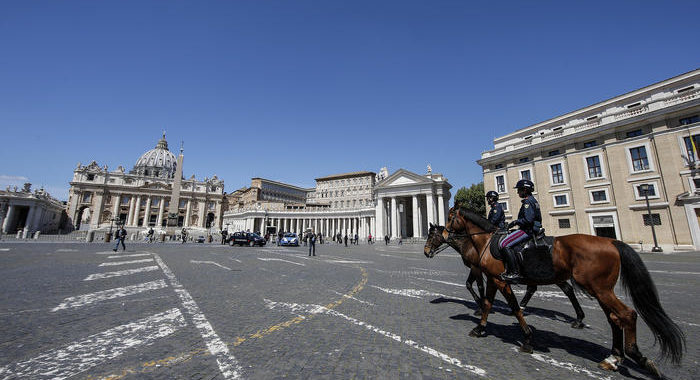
(594, 263)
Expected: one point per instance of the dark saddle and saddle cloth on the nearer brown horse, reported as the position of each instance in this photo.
(534, 256)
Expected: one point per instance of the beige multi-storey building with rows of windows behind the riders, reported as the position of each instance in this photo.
(590, 167)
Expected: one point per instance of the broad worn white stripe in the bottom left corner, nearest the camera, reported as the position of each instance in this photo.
(82, 355)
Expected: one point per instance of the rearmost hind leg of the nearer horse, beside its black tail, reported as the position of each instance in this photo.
(626, 318)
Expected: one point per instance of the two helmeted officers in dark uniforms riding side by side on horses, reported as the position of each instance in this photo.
(529, 224)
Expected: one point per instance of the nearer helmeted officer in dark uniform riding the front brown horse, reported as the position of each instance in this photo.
(529, 222)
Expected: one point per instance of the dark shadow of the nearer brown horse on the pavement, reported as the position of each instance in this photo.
(544, 341)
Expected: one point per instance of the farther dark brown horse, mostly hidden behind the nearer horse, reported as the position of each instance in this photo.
(470, 259)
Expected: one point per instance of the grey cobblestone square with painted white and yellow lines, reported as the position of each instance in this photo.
(201, 311)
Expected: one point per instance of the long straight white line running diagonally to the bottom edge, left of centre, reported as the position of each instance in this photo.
(228, 365)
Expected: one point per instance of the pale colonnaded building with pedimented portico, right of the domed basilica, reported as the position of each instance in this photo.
(362, 203)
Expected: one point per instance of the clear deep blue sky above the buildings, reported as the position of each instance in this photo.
(294, 90)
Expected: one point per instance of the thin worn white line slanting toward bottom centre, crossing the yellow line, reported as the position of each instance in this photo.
(318, 309)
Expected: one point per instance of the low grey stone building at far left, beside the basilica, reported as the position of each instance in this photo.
(30, 211)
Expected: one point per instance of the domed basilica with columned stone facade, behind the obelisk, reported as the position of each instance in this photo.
(141, 197)
